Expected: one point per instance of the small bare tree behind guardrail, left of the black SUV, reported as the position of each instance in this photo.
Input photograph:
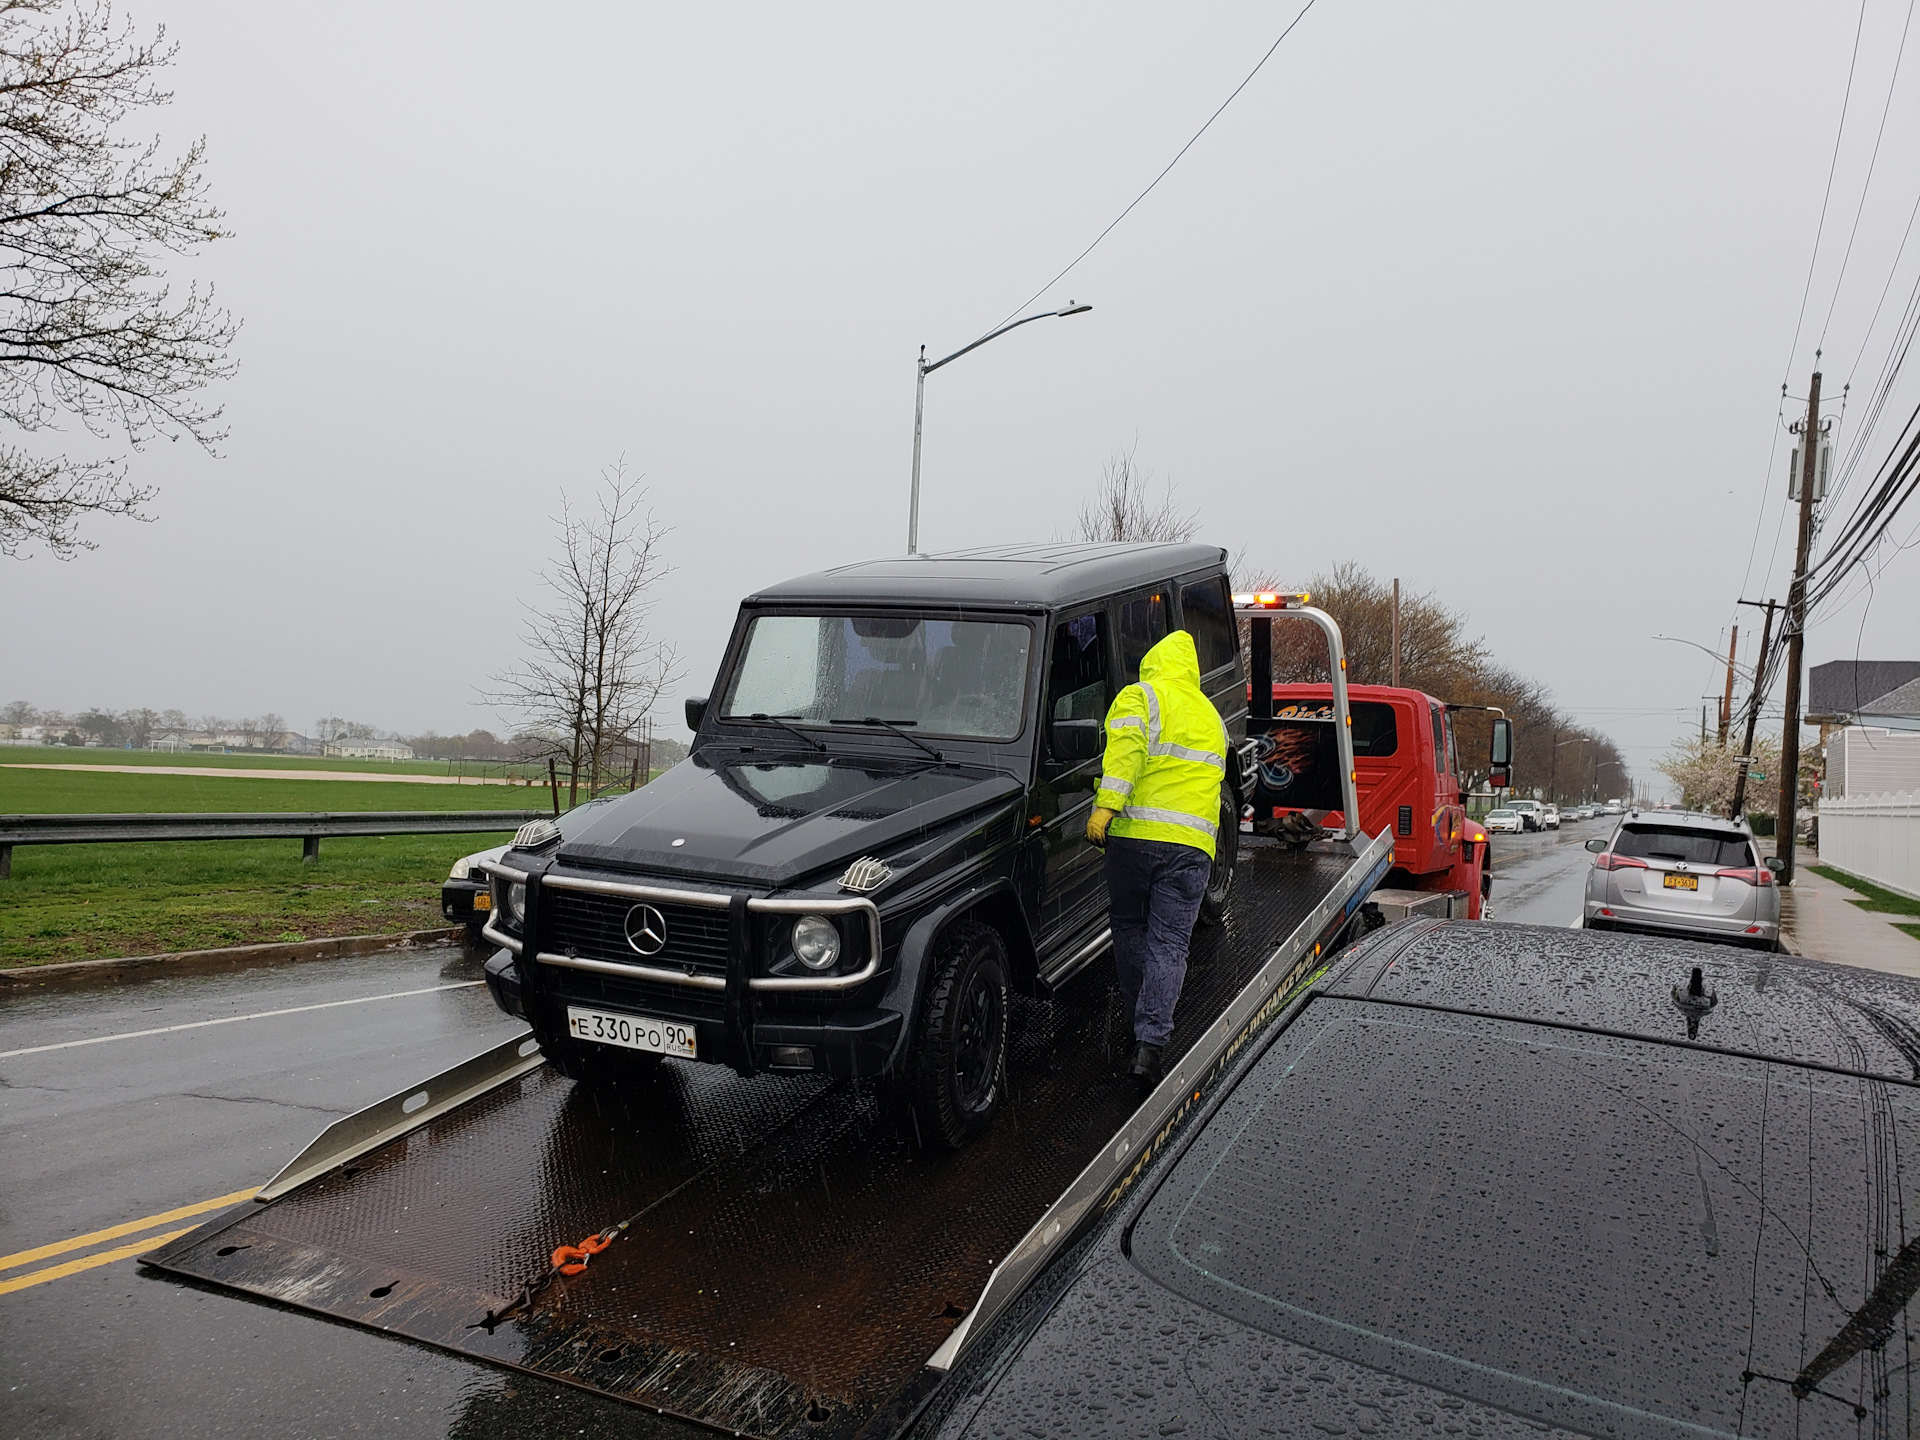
(592, 667)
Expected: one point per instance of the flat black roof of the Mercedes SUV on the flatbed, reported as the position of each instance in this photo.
(999, 575)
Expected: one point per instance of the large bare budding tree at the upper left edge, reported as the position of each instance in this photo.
(89, 327)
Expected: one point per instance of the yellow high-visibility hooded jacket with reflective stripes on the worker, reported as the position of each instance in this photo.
(1166, 752)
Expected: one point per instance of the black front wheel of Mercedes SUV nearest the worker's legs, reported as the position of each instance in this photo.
(959, 1070)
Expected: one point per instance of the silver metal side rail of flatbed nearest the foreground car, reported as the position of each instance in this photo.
(1115, 1170)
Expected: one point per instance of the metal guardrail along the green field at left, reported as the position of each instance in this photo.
(306, 828)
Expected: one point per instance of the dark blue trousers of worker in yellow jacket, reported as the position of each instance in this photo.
(1153, 892)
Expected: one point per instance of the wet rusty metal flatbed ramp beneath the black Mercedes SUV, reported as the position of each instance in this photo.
(792, 1262)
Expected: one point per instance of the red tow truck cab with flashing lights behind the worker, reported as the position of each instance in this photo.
(1397, 761)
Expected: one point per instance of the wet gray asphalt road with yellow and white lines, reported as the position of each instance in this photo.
(124, 1130)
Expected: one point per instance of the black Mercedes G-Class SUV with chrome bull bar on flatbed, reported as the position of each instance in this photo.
(878, 832)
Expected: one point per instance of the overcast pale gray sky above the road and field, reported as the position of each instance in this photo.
(1491, 297)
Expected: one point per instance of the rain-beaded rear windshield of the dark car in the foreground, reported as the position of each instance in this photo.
(1612, 1236)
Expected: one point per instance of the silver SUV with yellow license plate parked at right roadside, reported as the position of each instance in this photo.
(1685, 875)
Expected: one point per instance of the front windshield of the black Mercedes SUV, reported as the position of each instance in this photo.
(938, 677)
